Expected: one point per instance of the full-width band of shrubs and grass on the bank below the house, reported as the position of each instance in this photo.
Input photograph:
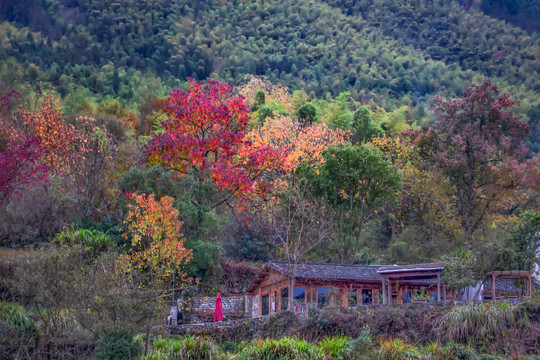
(485, 331)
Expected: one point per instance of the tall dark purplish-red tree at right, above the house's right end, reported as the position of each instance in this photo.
(477, 144)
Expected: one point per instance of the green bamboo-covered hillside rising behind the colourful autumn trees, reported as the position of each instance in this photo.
(384, 52)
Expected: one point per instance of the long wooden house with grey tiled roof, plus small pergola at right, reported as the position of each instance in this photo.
(319, 285)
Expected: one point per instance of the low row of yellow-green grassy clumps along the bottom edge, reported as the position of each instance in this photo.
(337, 347)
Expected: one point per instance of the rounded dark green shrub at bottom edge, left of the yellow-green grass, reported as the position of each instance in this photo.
(117, 346)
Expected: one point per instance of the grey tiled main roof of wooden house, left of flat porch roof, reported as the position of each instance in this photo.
(329, 271)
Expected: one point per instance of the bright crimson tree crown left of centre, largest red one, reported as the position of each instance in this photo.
(205, 135)
